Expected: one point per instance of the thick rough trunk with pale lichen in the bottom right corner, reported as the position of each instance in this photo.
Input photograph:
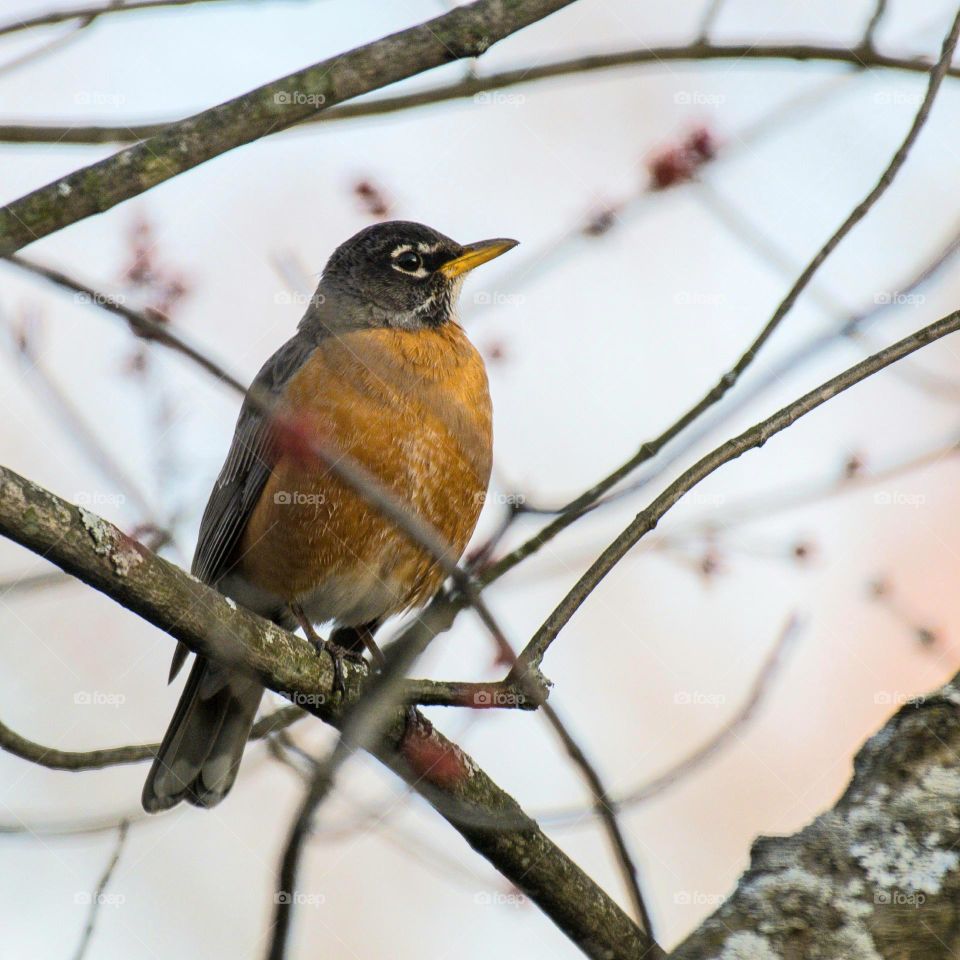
(875, 878)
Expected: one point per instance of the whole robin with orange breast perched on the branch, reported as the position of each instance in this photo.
(380, 371)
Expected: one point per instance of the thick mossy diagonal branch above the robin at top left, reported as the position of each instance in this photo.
(466, 31)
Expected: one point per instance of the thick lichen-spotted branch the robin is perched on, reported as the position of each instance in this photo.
(488, 818)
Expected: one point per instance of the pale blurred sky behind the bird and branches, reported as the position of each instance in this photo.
(604, 345)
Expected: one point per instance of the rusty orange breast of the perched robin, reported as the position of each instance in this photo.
(413, 409)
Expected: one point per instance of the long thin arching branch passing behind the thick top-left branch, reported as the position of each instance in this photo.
(473, 86)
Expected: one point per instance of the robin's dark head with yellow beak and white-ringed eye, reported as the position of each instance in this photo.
(399, 274)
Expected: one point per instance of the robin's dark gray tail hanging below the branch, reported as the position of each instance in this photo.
(201, 750)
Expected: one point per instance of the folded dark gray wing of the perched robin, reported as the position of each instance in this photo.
(244, 473)
